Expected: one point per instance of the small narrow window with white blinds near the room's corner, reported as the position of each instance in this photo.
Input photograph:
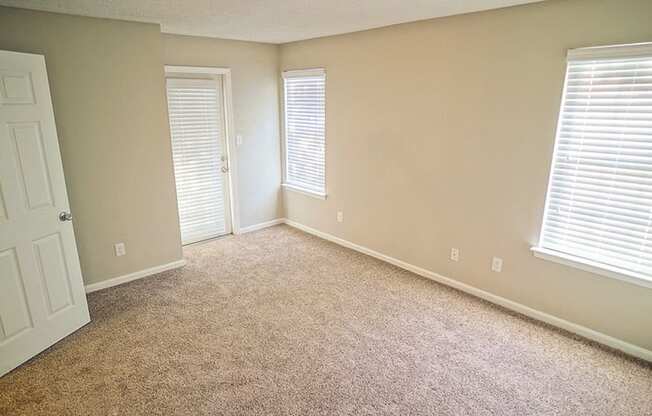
(305, 138)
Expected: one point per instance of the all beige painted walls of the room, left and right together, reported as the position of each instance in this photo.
(439, 135)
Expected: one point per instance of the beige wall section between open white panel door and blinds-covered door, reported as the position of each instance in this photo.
(107, 85)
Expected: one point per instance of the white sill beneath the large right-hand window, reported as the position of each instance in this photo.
(592, 266)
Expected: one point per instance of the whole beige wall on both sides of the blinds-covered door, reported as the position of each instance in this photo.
(107, 84)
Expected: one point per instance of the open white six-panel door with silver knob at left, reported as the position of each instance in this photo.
(42, 296)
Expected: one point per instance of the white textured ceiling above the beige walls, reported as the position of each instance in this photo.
(273, 21)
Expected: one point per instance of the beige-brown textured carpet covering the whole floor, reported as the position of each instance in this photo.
(281, 323)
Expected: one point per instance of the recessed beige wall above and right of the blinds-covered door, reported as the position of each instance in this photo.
(254, 72)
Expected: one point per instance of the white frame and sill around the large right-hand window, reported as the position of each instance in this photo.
(611, 51)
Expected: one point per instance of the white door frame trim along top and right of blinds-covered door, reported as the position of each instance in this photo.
(172, 70)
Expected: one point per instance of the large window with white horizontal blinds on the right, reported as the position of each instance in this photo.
(598, 212)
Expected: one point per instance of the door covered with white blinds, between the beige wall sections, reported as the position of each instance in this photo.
(198, 128)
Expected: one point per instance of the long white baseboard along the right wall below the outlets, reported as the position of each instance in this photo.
(583, 331)
